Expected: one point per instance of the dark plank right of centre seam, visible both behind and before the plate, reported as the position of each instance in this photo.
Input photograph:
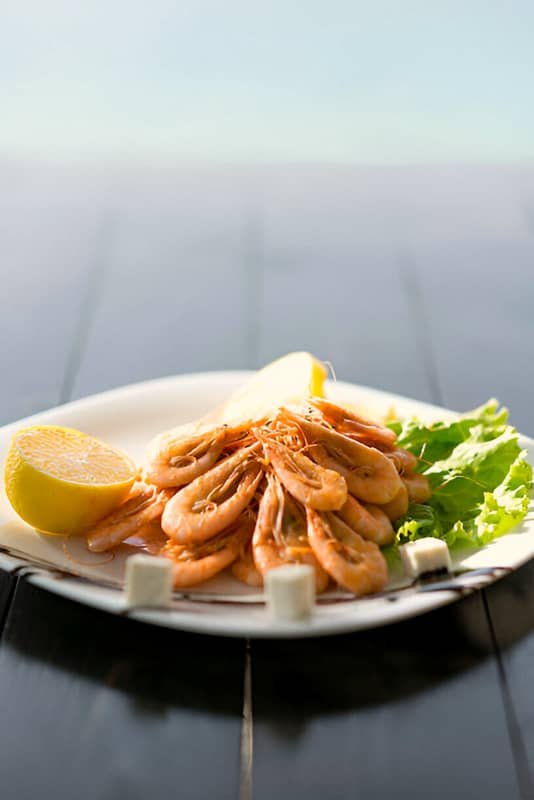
(397, 711)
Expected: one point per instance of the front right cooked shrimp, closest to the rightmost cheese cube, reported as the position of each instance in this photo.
(356, 564)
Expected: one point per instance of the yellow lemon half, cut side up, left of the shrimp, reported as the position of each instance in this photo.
(60, 480)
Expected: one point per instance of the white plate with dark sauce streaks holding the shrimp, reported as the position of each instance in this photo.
(128, 418)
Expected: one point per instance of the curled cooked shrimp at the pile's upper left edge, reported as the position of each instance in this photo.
(178, 457)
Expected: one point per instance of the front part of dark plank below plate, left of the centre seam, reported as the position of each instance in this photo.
(100, 706)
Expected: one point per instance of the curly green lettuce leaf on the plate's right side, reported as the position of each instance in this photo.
(480, 477)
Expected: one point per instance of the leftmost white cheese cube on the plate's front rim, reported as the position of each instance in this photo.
(148, 581)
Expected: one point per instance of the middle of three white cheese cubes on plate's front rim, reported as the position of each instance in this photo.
(290, 591)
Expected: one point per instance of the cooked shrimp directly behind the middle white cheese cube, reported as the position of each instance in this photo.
(280, 536)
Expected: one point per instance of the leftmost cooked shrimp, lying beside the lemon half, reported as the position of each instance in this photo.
(134, 516)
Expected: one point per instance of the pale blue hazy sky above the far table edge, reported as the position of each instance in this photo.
(387, 82)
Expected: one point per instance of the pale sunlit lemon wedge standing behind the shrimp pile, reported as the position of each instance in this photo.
(289, 379)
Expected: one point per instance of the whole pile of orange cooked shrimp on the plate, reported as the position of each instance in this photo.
(316, 484)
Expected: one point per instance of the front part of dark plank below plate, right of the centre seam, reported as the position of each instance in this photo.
(412, 710)
